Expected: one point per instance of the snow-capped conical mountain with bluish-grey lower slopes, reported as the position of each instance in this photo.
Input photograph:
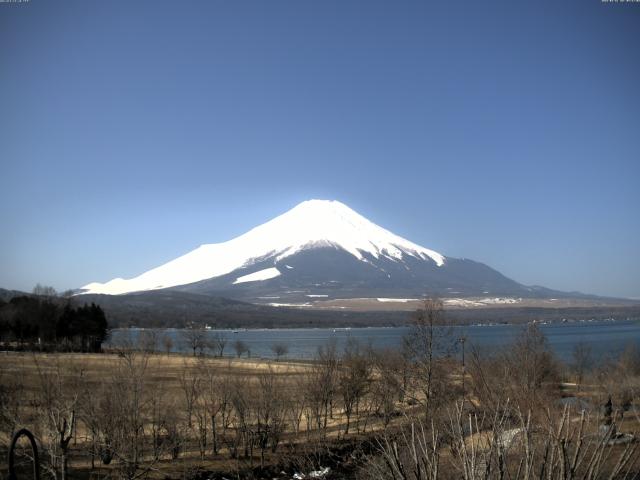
(320, 250)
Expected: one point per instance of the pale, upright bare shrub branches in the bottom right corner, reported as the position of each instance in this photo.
(509, 444)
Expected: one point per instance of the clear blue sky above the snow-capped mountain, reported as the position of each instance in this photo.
(506, 132)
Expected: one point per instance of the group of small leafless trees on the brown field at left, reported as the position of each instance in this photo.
(127, 420)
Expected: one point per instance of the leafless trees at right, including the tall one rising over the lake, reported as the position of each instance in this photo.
(511, 421)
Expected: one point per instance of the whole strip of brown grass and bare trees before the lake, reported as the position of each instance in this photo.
(418, 413)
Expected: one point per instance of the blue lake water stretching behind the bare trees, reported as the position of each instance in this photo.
(606, 338)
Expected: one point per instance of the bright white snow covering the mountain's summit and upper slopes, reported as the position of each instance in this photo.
(314, 223)
